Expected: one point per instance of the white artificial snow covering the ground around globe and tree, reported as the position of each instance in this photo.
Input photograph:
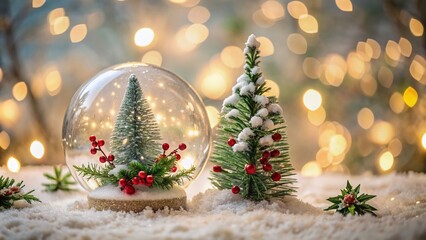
(401, 200)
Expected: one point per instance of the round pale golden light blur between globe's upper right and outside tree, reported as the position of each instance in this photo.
(213, 86)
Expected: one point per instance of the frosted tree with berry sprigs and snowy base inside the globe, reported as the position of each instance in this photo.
(139, 172)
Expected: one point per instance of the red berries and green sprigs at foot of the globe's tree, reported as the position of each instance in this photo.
(163, 173)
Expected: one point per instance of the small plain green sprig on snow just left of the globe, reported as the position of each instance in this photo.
(59, 182)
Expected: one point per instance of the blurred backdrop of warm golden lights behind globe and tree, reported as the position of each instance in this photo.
(349, 74)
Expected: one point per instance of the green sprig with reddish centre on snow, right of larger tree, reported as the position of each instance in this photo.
(349, 202)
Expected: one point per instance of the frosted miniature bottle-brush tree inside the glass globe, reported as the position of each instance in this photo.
(136, 133)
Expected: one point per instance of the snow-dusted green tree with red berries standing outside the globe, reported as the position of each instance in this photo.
(251, 151)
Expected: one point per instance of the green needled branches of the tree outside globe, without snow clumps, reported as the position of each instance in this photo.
(258, 186)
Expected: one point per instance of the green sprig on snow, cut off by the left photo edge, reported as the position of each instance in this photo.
(9, 193)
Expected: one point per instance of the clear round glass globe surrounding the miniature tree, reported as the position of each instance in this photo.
(179, 112)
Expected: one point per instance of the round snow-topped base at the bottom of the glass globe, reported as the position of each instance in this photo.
(112, 198)
